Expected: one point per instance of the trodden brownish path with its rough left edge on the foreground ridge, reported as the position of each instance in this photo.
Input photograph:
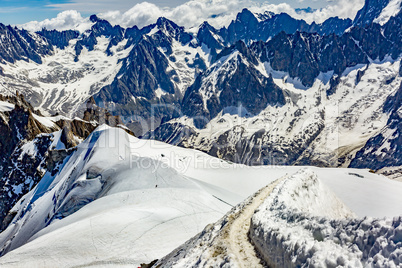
(225, 243)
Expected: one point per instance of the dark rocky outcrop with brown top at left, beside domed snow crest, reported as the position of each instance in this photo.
(27, 147)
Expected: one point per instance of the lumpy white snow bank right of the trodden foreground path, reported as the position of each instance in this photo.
(303, 224)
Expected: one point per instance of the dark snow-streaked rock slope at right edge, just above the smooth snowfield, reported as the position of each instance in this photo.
(384, 149)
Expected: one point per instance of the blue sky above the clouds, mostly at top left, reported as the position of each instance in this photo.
(22, 11)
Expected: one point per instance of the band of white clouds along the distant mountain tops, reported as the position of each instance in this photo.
(192, 13)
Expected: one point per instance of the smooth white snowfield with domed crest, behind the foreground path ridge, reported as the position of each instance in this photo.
(141, 199)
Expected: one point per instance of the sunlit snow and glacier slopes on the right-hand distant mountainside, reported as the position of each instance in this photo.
(348, 117)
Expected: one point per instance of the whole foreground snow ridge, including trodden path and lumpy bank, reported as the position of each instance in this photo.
(297, 221)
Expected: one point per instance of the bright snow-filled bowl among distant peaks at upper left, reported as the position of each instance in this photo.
(61, 84)
